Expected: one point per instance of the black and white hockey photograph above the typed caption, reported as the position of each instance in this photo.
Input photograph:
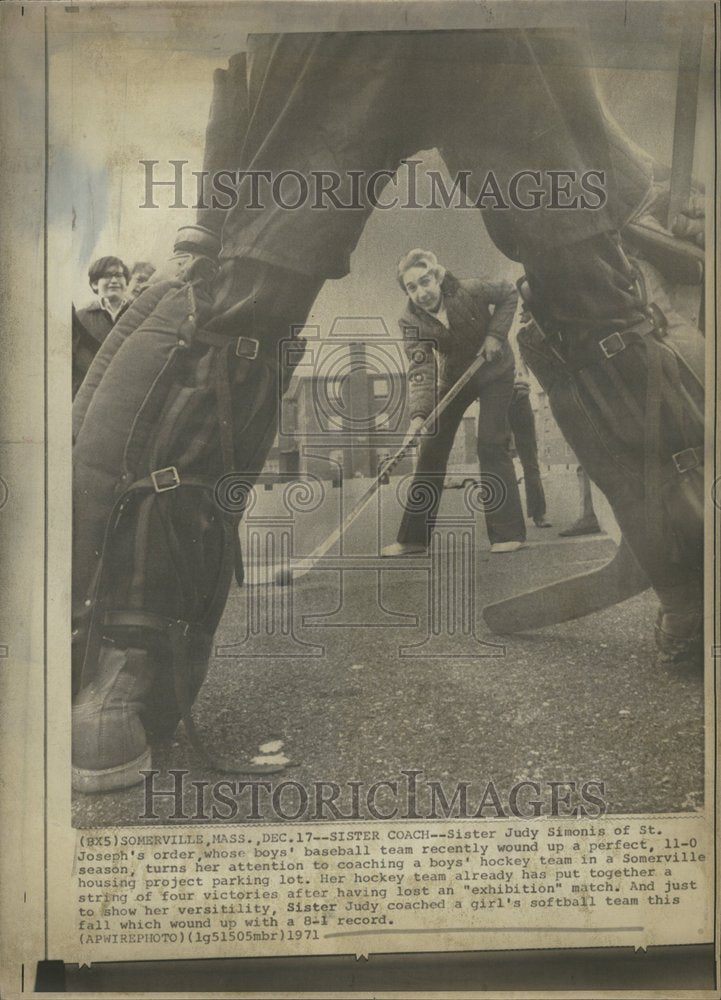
(388, 418)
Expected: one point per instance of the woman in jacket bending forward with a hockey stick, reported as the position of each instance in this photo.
(445, 325)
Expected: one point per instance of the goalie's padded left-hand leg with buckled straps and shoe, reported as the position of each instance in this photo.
(184, 400)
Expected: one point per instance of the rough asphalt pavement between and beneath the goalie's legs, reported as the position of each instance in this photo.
(367, 667)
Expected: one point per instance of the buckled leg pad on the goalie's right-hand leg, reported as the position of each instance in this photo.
(628, 397)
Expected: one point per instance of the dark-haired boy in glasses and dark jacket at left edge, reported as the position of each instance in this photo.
(108, 277)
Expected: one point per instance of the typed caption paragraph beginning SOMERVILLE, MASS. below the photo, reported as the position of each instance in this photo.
(380, 888)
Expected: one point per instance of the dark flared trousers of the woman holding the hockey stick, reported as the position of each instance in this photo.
(502, 502)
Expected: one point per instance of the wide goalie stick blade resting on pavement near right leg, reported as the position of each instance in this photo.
(571, 598)
